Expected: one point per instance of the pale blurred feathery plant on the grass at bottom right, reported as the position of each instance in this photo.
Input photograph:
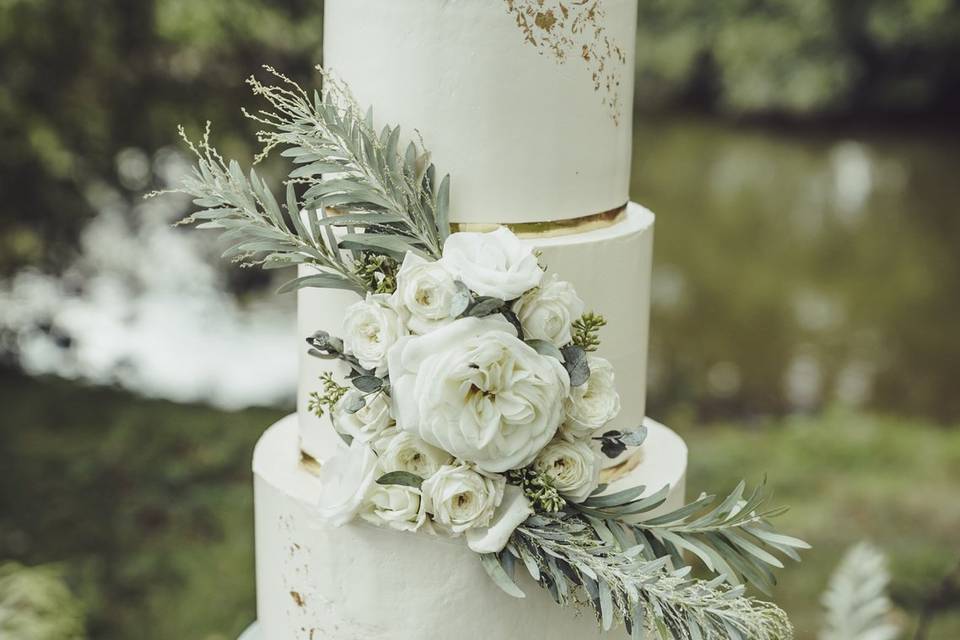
(856, 602)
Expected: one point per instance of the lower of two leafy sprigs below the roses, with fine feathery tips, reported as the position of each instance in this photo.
(567, 556)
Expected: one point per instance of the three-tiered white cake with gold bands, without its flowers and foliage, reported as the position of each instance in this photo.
(527, 103)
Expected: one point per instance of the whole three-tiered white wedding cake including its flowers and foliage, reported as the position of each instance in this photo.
(470, 446)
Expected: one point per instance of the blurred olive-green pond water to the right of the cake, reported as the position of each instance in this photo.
(800, 268)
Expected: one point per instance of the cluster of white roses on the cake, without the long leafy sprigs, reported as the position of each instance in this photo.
(467, 396)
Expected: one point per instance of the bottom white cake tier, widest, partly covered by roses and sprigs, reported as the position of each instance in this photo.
(359, 582)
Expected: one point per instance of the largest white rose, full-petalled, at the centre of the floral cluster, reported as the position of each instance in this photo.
(476, 391)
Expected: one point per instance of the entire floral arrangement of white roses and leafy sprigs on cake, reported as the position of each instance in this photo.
(474, 404)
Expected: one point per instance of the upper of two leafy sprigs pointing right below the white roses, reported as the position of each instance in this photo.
(733, 539)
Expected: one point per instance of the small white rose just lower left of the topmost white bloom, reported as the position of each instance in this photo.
(427, 291)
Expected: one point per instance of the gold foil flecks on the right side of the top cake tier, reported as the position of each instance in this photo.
(565, 29)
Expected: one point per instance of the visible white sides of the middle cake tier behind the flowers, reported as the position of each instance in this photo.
(610, 268)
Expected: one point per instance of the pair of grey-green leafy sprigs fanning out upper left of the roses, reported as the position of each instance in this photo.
(354, 179)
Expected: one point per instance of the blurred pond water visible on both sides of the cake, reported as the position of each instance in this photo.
(793, 270)
